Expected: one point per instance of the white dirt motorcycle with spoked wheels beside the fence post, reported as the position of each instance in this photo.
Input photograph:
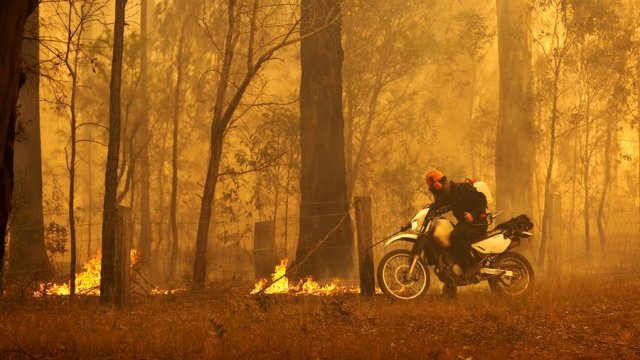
(403, 274)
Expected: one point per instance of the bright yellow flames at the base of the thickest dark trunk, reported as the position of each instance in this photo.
(308, 286)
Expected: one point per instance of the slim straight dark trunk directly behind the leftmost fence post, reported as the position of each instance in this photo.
(111, 175)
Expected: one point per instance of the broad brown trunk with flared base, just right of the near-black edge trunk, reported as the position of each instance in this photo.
(28, 256)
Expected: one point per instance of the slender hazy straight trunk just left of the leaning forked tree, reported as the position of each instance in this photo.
(173, 261)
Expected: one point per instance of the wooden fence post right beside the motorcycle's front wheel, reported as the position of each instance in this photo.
(365, 240)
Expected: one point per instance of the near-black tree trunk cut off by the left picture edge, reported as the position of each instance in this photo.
(13, 15)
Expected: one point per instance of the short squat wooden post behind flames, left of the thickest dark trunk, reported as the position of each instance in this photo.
(265, 257)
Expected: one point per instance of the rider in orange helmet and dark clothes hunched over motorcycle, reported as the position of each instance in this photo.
(468, 205)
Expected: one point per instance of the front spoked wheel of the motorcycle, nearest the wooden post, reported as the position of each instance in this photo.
(394, 278)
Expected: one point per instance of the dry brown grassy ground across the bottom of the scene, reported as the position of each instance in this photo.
(586, 317)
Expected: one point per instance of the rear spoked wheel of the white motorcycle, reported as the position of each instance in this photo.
(522, 281)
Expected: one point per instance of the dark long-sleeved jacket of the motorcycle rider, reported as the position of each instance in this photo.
(464, 197)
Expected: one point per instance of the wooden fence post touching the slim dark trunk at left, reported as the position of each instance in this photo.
(122, 266)
